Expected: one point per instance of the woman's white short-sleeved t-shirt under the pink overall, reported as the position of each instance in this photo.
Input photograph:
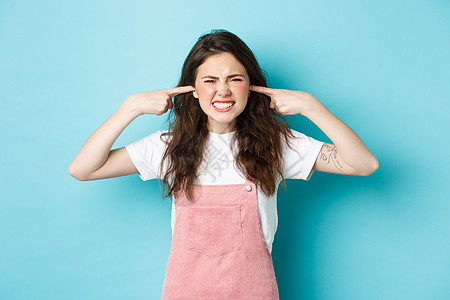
(146, 155)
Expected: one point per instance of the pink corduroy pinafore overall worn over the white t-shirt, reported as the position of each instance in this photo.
(218, 249)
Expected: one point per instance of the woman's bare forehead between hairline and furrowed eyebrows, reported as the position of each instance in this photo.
(221, 64)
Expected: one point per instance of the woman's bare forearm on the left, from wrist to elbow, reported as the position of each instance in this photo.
(96, 149)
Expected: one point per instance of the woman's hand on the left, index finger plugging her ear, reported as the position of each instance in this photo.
(156, 102)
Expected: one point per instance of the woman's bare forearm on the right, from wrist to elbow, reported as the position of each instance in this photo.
(349, 146)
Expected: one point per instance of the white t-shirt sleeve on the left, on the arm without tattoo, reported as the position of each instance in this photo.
(146, 154)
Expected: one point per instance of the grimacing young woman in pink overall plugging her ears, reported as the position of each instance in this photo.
(222, 159)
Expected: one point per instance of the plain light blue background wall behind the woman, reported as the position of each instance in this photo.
(381, 66)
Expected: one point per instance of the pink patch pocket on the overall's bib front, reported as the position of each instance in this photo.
(214, 230)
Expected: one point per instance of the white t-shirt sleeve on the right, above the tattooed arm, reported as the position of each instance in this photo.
(298, 162)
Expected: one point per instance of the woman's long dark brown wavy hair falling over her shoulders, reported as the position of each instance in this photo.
(258, 129)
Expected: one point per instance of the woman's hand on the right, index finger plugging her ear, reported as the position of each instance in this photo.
(288, 102)
